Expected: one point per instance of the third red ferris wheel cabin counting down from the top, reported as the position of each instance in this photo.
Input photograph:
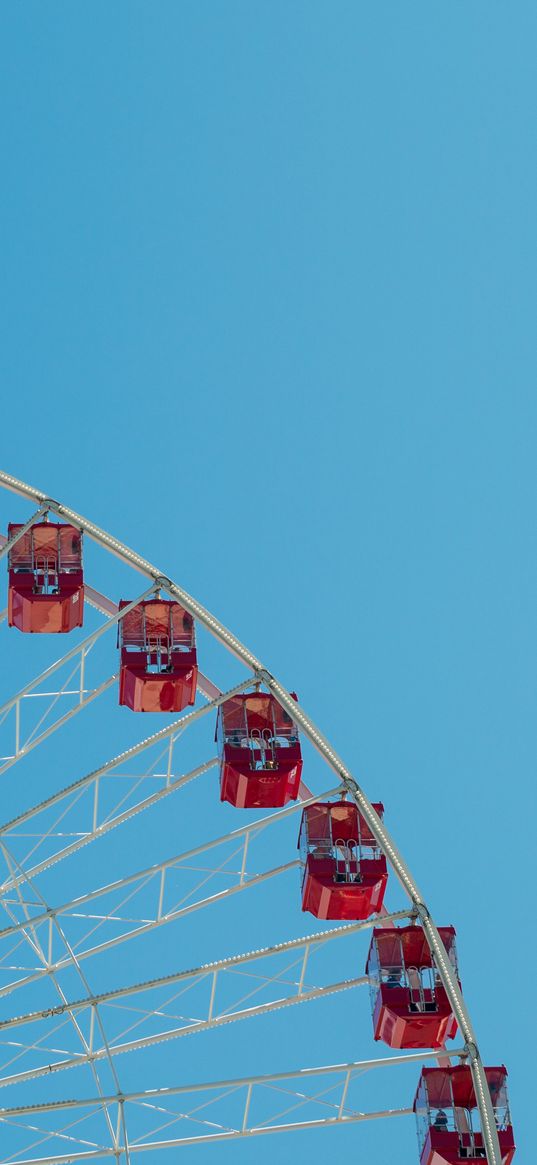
(260, 754)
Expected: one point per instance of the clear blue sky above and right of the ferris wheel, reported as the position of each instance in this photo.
(268, 288)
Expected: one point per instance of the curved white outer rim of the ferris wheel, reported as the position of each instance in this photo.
(336, 764)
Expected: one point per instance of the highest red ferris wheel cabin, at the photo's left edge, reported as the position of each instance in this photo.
(46, 591)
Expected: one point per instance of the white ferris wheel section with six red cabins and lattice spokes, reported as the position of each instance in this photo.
(153, 889)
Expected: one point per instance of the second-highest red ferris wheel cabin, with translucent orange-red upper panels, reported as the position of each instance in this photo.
(159, 662)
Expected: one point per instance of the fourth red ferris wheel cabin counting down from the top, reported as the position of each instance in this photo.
(345, 873)
